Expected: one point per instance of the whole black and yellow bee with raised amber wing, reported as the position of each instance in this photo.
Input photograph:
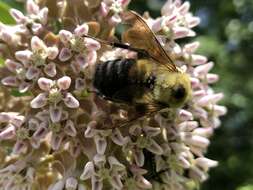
(149, 83)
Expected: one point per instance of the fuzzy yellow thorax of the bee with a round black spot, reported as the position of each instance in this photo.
(172, 89)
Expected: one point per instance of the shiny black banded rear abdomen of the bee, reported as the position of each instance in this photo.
(111, 76)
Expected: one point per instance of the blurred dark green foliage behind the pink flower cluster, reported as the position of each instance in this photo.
(226, 36)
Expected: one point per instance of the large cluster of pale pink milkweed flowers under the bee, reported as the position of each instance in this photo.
(56, 135)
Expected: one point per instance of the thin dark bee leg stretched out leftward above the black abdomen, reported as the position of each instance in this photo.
(141, 53)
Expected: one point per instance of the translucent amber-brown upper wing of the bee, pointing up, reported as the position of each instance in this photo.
(142, 37)
